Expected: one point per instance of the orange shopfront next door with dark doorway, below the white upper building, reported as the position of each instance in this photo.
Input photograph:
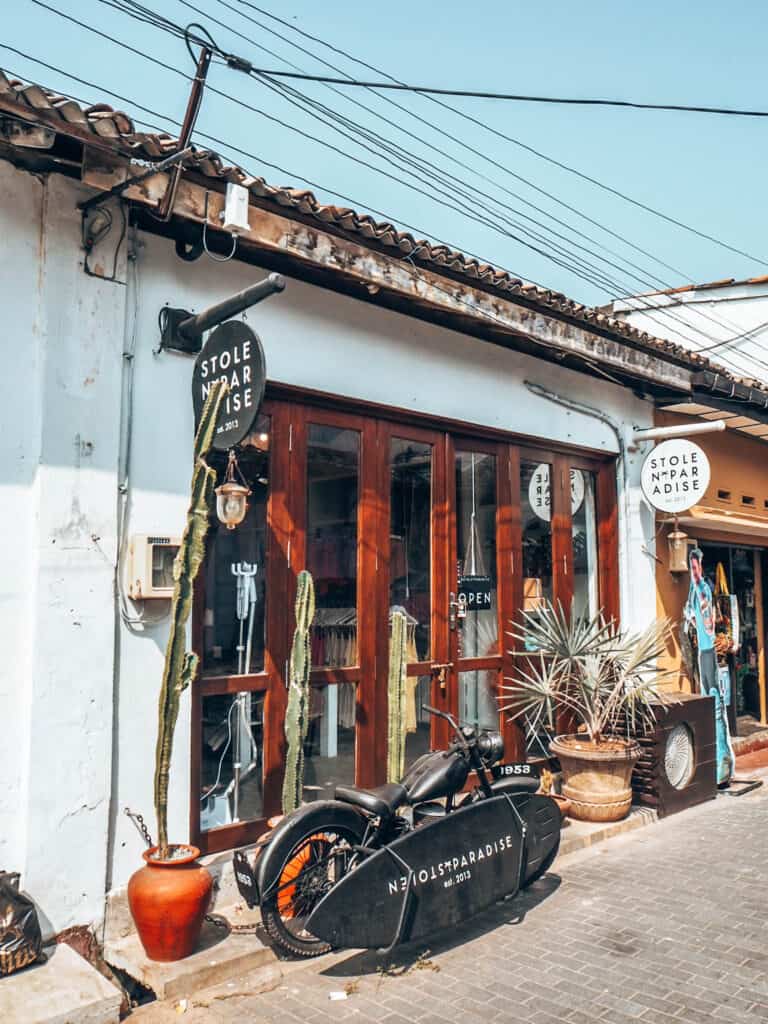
(731, 528)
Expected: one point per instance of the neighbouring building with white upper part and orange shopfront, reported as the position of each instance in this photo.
(730, 524)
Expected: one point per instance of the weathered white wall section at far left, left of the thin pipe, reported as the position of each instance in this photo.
(62, 391)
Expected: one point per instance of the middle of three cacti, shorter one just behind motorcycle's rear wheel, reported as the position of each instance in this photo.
(297, 714)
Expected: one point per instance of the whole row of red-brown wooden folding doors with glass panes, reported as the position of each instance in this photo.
(461, 532)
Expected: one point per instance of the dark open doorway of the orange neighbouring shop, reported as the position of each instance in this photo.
(744, 572)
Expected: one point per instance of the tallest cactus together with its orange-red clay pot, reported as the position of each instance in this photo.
(169, 897)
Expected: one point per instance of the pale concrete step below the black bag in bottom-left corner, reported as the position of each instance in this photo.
(64, 991)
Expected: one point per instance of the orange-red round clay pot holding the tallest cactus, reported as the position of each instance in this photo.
(169, 901)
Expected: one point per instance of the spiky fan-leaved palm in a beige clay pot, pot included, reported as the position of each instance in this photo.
(605, 684)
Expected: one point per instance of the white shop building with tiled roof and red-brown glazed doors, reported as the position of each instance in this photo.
(435, 435)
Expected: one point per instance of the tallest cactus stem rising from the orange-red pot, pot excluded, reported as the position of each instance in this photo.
(182, 665)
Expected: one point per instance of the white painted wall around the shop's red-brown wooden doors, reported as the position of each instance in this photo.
(59, 505)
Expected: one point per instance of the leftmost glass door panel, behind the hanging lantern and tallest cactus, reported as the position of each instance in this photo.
(233, 623)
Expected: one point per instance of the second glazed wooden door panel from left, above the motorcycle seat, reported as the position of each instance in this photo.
(331, 500)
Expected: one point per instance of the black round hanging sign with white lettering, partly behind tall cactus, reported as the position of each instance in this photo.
(233, 354)
